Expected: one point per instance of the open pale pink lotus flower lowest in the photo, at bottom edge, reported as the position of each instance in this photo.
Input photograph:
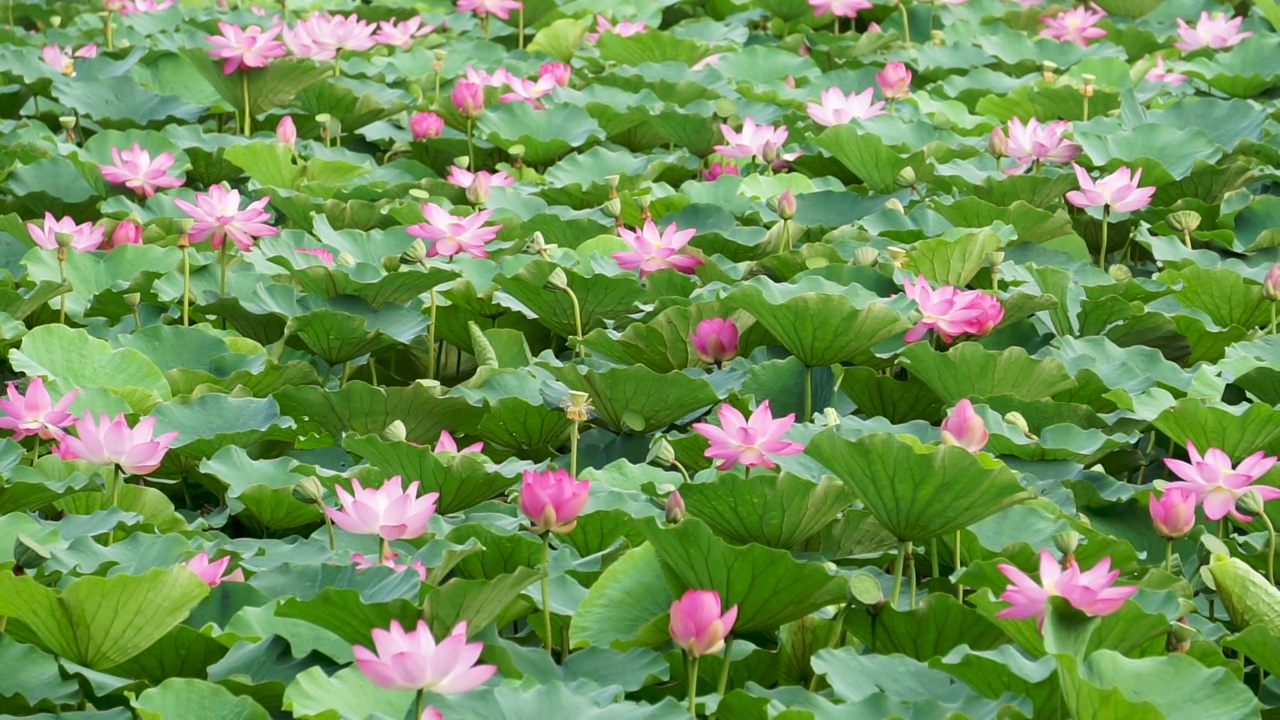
(414, 662)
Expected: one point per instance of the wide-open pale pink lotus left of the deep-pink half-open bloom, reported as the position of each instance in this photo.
(390, 512)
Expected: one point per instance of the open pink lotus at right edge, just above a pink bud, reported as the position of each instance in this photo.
(1218, 485)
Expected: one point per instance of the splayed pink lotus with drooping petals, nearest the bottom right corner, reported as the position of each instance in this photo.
(1091, 593)
